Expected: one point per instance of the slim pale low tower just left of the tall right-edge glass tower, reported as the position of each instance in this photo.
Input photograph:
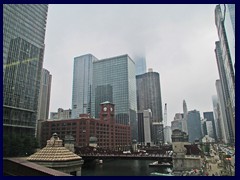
(223, 113)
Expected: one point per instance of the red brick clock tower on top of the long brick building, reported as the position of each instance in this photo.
(107, 111)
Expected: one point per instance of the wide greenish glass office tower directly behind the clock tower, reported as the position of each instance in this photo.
(114, 81)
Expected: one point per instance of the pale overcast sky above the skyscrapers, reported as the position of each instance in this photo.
(178, 42)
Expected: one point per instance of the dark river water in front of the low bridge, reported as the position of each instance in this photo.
(121, 167)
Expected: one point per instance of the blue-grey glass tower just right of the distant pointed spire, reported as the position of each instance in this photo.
(194, 126)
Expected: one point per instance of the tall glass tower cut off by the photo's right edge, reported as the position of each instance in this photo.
(225, 52)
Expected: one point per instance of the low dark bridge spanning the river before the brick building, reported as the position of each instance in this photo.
(159, 157)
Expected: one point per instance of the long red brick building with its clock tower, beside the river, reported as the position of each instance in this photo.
(109, 134)
